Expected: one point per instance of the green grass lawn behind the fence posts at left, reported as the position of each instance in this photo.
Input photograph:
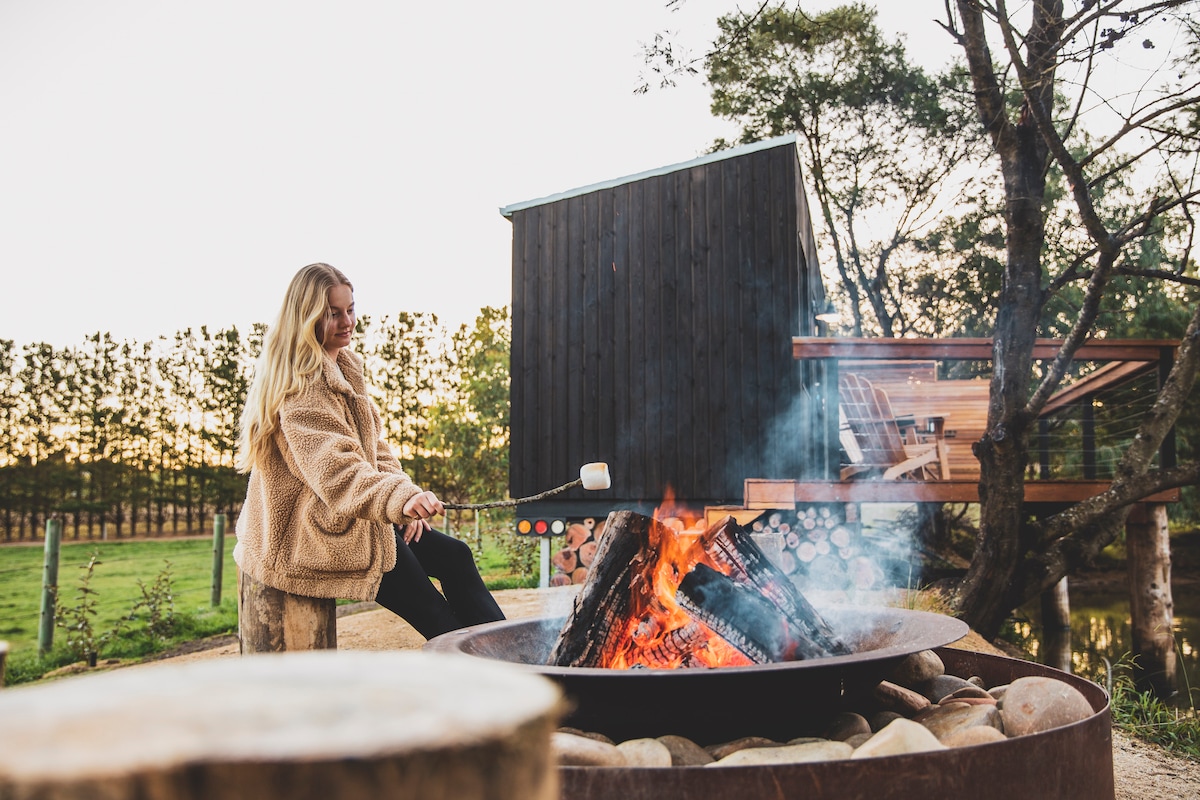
(130, 573)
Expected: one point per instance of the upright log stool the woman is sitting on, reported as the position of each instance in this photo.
(271, 621)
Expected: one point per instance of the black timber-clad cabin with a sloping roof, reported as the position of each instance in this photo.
(653, 320)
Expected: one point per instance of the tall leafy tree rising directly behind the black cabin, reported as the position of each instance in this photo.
(885, 143)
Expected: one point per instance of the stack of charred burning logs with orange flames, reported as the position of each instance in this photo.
(667, 597)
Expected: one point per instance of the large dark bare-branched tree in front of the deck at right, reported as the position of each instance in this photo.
(1017, 560)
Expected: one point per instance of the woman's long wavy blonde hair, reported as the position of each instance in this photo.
(292, 357)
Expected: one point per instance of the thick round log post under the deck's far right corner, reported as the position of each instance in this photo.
(1151, 606)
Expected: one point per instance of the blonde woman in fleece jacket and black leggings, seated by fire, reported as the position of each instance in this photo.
(329, 513)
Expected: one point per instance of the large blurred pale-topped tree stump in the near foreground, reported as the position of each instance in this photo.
(301, 726)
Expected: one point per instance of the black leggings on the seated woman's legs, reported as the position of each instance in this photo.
(409, 593)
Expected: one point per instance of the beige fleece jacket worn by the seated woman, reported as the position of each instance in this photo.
(321, 504)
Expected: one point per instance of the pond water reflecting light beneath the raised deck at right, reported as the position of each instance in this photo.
(1100, 636)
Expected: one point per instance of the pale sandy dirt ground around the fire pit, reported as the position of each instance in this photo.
(1142, 772)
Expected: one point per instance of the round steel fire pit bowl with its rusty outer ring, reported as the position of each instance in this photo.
(1070, 763)
